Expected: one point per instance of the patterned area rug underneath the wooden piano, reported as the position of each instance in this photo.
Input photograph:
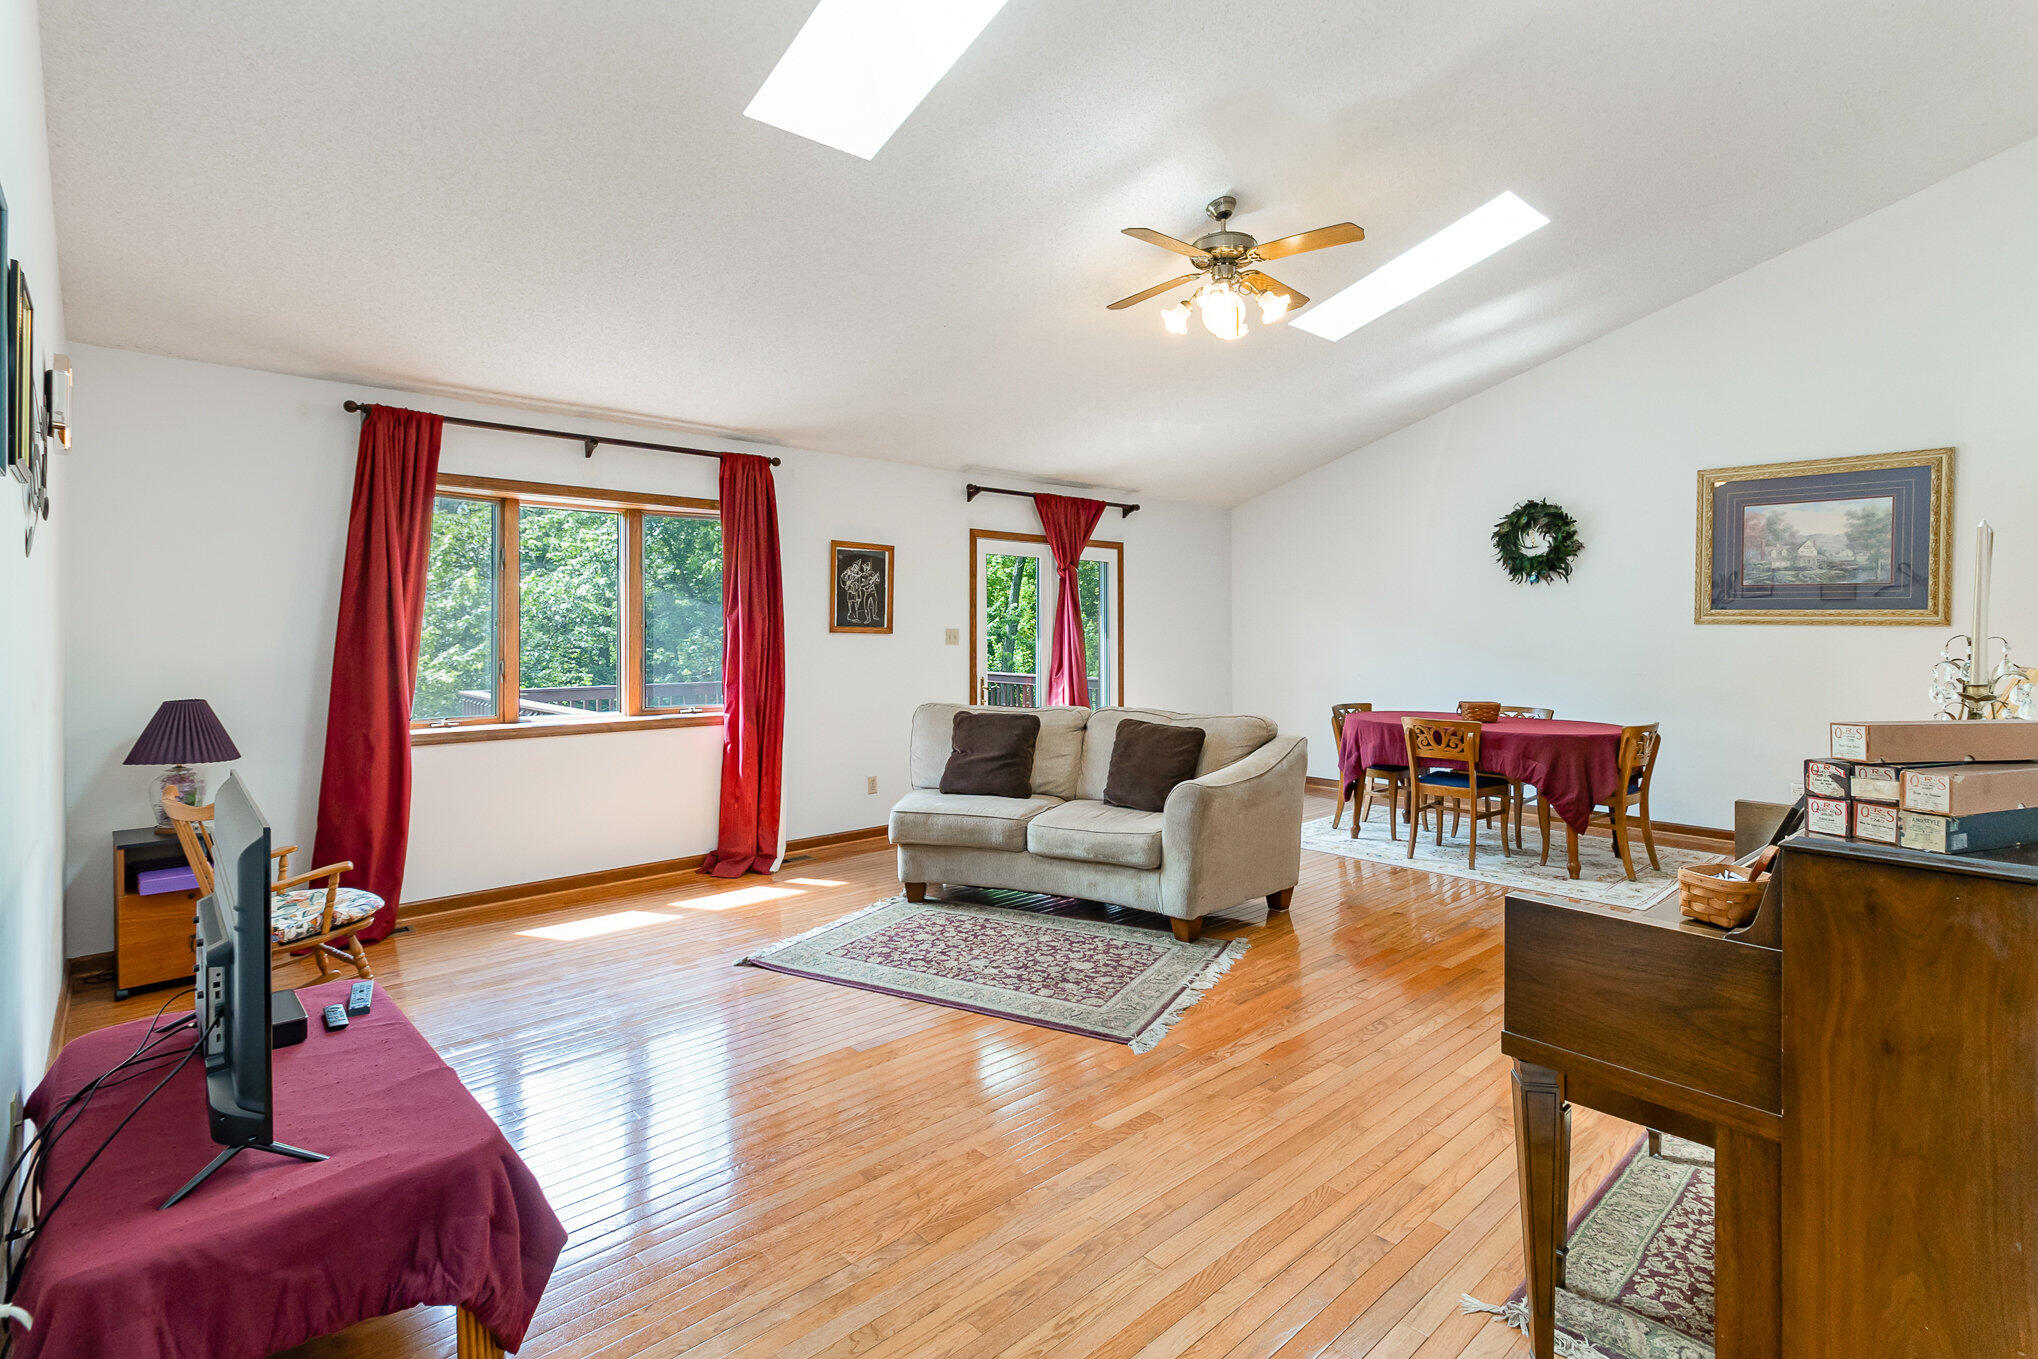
(1640, 1270)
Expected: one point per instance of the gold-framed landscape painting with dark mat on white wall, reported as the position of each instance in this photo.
(1831, 541)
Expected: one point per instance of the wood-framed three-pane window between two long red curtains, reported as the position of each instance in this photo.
(566, 610)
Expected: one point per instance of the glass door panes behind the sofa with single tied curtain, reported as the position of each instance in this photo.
(1012, 618)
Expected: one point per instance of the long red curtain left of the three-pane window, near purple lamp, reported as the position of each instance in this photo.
(364, 792)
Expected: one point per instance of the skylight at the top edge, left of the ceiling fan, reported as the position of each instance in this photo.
(859, 68)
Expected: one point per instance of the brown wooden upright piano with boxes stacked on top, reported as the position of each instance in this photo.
(1864, 1061)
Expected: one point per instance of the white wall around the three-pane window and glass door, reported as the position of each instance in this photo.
(207, 563)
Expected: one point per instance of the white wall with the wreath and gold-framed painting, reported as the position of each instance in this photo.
(1373, 580)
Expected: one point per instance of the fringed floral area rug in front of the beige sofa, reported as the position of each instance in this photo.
(1100, 979)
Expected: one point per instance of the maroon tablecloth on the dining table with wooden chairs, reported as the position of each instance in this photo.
(1572, 765)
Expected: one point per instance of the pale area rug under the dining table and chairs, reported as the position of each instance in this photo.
(1601, 875)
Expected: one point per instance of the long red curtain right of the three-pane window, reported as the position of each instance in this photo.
(753, 671)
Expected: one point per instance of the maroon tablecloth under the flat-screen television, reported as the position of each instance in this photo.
(423, 1203)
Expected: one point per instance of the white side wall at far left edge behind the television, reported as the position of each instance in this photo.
(32, 761)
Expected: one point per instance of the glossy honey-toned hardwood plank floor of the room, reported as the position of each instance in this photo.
(1316, 1162)
